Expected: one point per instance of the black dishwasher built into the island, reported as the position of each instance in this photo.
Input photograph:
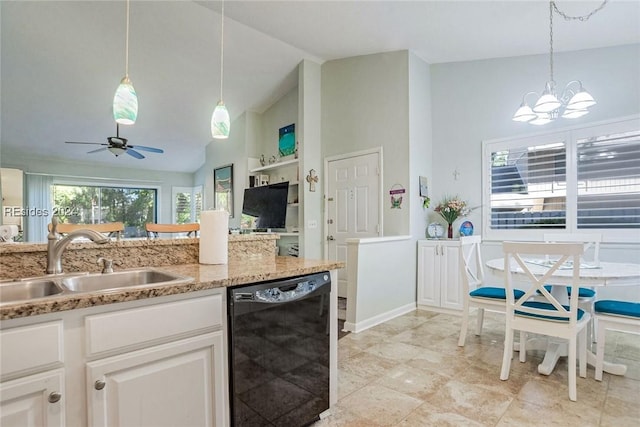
(279, 351)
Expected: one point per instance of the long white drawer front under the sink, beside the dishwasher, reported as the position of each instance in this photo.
(138, 326)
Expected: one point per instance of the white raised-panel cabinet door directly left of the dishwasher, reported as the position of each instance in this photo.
(177, 384)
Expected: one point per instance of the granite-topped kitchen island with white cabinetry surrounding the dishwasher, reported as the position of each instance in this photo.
(142, 355)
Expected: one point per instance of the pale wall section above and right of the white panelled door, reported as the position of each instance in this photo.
(365, 104)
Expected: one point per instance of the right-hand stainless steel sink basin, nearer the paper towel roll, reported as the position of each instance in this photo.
(121, 279)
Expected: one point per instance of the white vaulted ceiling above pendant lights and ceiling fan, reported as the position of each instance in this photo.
(61, 61)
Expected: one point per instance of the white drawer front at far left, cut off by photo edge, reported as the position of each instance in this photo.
(31, 348)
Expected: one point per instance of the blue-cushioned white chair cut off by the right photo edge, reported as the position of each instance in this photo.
(614, 315)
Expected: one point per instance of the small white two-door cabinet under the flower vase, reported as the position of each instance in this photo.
(439, 275)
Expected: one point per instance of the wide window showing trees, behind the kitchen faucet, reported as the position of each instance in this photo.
(100, 204)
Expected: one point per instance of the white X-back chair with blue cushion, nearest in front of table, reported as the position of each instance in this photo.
(548, 317)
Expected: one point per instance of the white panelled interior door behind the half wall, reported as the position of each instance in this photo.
(353, 205)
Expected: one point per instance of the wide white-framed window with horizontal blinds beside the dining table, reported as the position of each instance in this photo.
(581, 179)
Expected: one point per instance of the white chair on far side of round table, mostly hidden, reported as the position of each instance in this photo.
(586, 295)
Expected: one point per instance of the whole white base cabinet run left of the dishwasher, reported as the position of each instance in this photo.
(160, 361)
